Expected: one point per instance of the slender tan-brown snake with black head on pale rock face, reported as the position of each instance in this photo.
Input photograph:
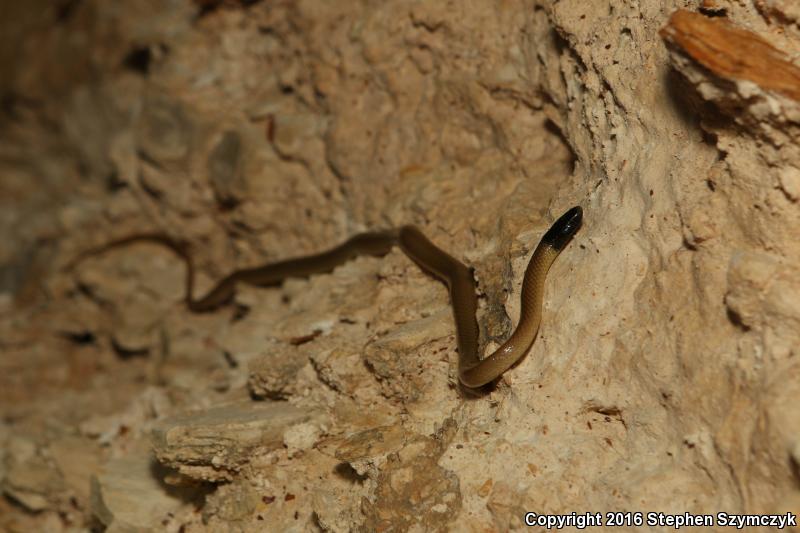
(473, 371)
